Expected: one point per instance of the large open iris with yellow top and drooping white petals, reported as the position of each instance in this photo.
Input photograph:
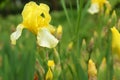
(36, 18)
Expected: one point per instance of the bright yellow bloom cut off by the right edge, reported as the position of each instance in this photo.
(115, 41)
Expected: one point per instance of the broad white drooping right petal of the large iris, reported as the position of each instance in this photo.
(46, 39)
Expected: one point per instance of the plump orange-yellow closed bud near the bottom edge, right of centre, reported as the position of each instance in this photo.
(92, 71)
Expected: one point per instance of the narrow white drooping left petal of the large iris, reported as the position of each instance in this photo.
(15, 35)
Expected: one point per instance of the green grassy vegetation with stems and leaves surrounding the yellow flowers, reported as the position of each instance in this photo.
(91, 37)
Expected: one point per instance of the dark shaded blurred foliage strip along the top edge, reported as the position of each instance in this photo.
(15, 6)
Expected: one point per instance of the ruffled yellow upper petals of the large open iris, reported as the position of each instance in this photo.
(35, 16)
